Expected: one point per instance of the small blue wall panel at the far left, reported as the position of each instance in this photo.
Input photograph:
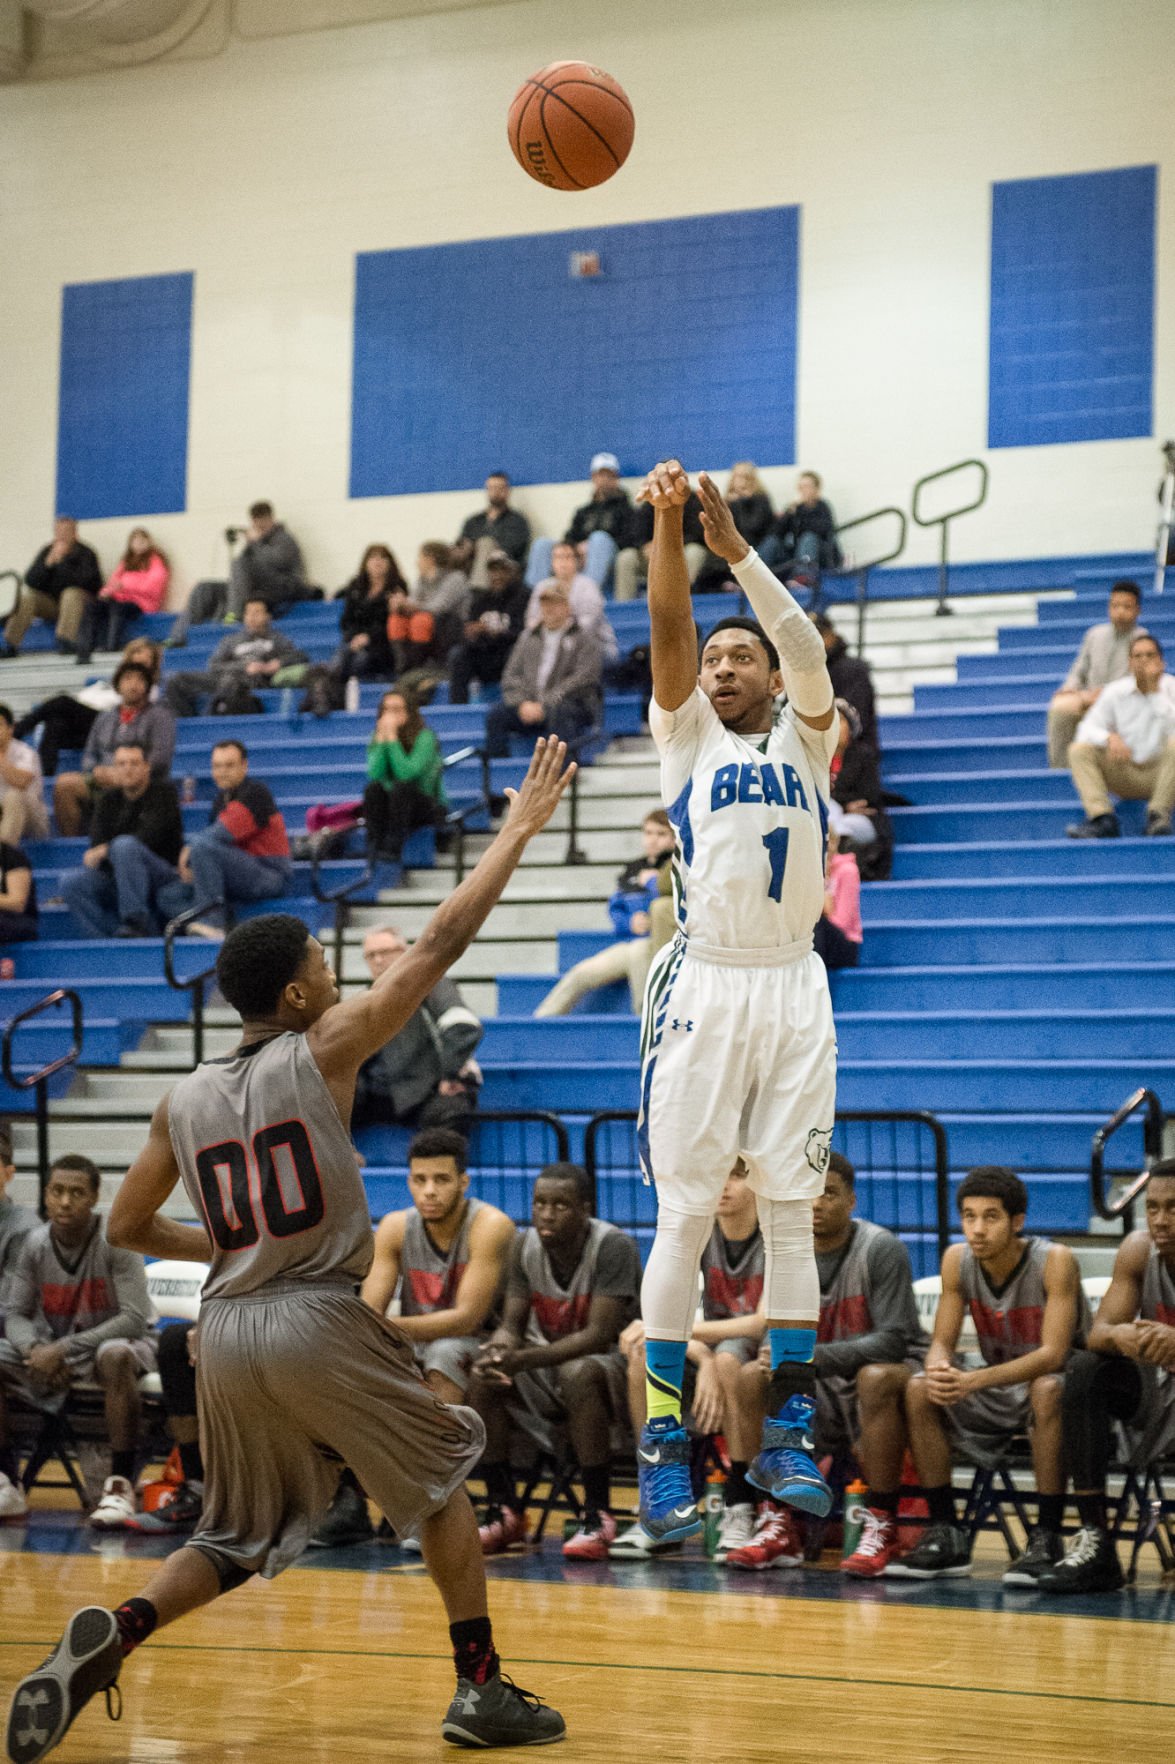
(123, 405)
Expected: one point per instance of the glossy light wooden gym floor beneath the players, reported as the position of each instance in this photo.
(345, 1659)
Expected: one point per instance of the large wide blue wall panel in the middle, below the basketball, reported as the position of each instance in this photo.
(490, 354)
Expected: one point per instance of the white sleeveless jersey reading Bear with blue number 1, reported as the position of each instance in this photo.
(751, 816)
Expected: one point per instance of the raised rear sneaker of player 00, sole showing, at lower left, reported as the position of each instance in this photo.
(86, 1661)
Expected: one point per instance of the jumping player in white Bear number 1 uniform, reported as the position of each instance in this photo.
(738, 1045)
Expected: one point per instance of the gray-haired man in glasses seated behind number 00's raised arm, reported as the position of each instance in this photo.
(426, 1077)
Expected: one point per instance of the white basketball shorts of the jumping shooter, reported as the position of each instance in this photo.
(737, 1061)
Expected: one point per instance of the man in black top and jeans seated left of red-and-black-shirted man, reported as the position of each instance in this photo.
(128, 885)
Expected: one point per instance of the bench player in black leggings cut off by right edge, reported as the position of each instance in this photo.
(1126, 1377)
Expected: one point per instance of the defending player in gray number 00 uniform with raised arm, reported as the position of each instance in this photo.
(262, 1146)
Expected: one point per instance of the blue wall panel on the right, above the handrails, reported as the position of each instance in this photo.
(1072, 345)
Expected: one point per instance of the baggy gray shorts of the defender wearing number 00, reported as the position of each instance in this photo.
(296, 1382)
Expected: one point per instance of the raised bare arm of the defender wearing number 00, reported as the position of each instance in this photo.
(350, 1033)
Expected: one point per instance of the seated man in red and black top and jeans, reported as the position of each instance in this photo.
(244, 851)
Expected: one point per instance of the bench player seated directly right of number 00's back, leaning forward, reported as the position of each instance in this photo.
(447, 1255)
